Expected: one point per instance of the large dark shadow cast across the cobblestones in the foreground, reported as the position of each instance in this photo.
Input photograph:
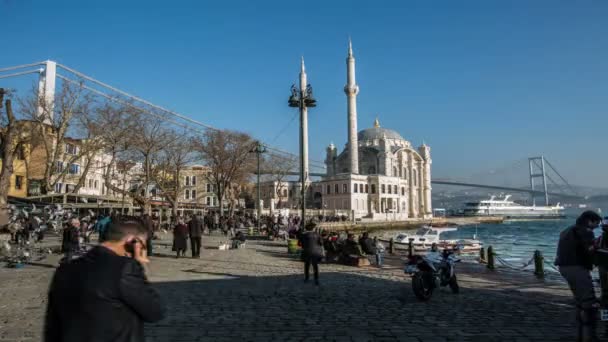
(350, 306)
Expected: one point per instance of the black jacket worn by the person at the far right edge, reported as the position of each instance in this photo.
(573, 248)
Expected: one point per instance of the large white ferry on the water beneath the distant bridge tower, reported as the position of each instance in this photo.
(509, 209)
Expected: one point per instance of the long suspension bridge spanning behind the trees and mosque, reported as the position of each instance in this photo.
(544, 180)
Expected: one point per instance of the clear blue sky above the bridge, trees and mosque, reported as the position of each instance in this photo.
(482, 82)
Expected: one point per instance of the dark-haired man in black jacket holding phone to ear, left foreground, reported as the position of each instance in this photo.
(104, 295)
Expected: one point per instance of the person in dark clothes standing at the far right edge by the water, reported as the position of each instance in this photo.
(575, 256)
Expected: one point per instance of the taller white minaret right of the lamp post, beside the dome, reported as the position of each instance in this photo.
(352, 89)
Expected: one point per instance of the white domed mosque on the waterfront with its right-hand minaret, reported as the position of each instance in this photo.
(379, 175)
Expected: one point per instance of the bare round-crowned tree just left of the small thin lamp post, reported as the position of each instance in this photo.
(227, 154)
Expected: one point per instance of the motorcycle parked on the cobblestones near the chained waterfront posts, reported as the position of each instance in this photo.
(431, 271)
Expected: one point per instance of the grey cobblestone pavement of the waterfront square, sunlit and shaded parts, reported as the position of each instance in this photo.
(257, 294)
